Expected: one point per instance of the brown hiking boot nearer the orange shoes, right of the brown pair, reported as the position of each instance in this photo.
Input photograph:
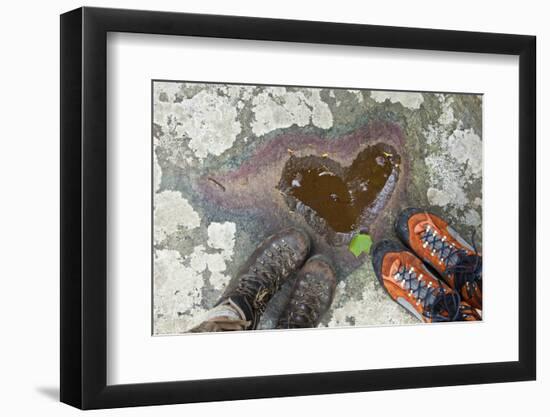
(311, 296)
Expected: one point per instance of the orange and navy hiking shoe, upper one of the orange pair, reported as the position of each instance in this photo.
(439, 245)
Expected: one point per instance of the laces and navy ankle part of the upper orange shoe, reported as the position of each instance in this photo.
(466, 268)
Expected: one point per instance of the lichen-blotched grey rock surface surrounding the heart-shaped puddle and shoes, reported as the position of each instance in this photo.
(218, 155)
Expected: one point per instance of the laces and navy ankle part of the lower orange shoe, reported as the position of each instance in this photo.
(437, 304)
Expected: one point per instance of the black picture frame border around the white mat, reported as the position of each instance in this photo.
(84, 207)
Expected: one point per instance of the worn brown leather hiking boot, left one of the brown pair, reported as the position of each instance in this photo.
(273, 261)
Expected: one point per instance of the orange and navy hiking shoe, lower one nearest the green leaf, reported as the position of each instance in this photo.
(409, 283)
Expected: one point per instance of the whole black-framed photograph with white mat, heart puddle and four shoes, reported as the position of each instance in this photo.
(258, 208)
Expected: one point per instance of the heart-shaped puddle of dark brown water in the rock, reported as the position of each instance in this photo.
(340, 195)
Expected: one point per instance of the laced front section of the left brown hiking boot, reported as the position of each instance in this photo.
(263, 278)
